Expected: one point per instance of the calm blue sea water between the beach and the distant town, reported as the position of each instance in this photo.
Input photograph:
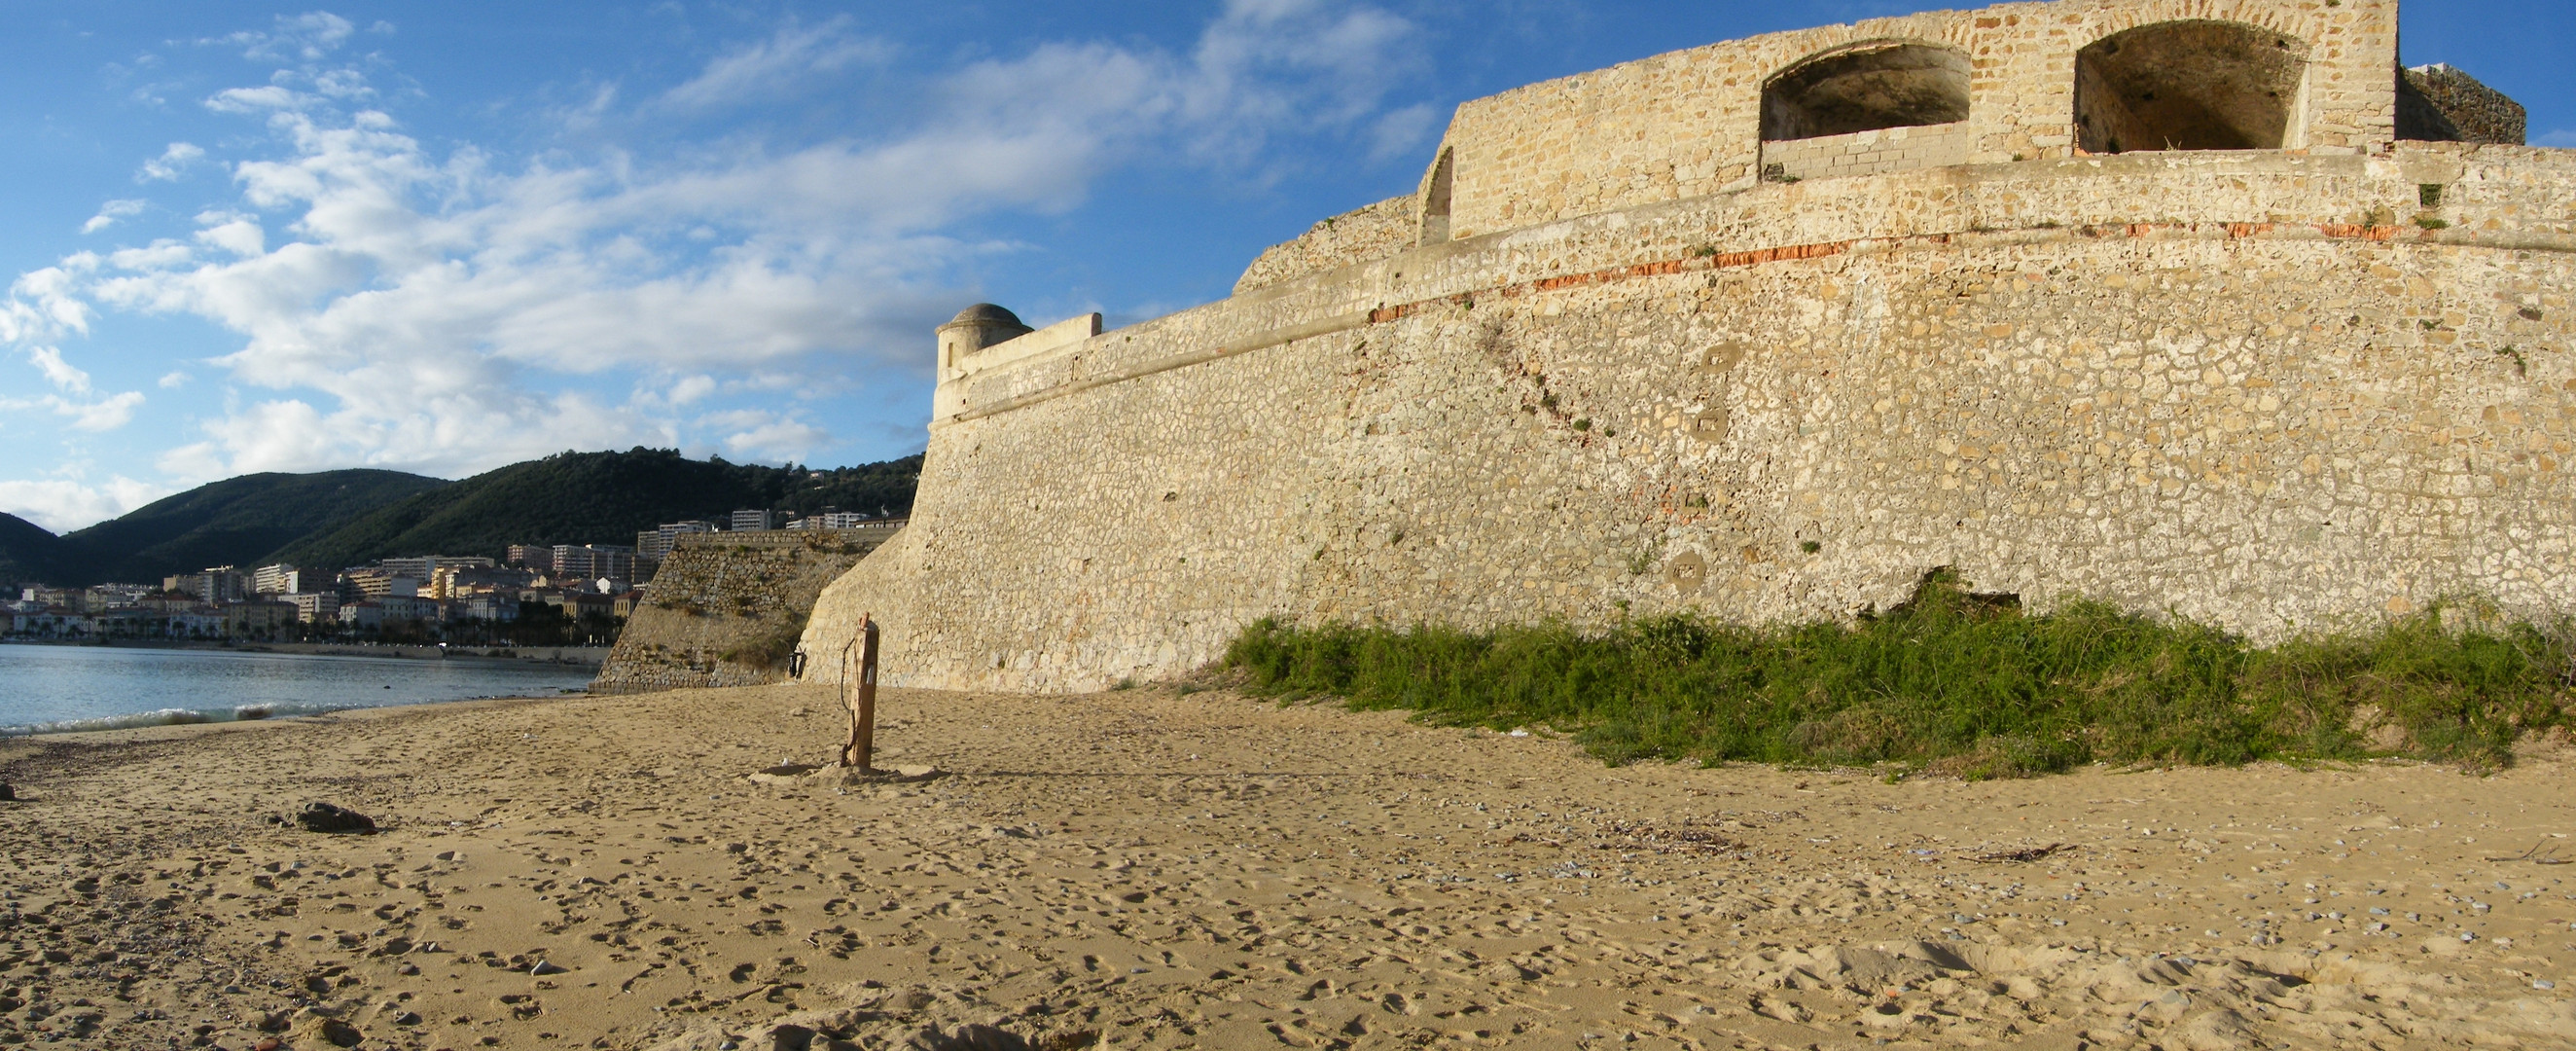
(63, 689)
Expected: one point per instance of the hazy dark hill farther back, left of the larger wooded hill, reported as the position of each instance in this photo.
(231, 522)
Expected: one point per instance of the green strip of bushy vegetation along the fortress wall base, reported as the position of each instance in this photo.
(1954, 684)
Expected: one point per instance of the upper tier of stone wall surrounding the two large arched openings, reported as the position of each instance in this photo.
(1689, 122)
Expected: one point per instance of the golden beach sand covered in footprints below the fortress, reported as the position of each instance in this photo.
(1160, 869)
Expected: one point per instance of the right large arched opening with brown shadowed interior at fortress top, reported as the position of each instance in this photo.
(2188, 86)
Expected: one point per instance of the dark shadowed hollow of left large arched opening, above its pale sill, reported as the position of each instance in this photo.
(1874, 86)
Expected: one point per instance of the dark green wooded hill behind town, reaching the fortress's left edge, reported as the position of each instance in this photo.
(594, 498)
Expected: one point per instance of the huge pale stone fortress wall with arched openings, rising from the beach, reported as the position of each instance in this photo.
(2297, 377)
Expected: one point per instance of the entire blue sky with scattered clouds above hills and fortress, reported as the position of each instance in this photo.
(452, 236)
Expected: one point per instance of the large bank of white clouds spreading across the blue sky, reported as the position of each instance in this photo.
(434, 310)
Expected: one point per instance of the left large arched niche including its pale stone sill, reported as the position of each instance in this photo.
(1866, 109)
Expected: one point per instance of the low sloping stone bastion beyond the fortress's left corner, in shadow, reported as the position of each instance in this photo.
(725, 609)
